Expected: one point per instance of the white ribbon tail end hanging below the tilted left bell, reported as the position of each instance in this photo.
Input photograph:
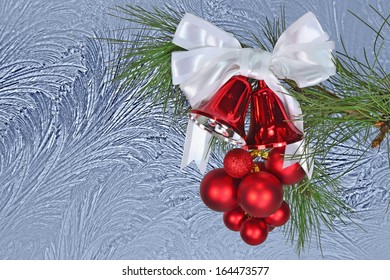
(196, 147)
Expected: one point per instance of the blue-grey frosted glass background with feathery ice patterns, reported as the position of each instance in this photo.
(89, 172)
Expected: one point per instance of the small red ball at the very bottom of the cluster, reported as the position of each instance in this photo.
(254, 231)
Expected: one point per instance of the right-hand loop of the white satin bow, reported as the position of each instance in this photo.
(303, 53)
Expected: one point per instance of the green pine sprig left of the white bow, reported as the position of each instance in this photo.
(148, 62)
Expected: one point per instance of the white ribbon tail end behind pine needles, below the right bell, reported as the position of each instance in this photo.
(299, 154)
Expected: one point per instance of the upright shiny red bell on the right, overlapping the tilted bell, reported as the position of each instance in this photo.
(269, 126)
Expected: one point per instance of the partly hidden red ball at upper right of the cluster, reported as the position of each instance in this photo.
(289, 175)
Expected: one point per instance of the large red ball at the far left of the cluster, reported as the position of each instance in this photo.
(219, 191)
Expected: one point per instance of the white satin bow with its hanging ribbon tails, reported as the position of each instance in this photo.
(213, 56)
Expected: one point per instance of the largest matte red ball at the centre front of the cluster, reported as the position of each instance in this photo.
(260, 194)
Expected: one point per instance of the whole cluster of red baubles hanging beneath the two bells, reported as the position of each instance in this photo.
(250, 193)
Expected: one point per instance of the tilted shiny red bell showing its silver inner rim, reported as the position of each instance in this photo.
(224, 114)
